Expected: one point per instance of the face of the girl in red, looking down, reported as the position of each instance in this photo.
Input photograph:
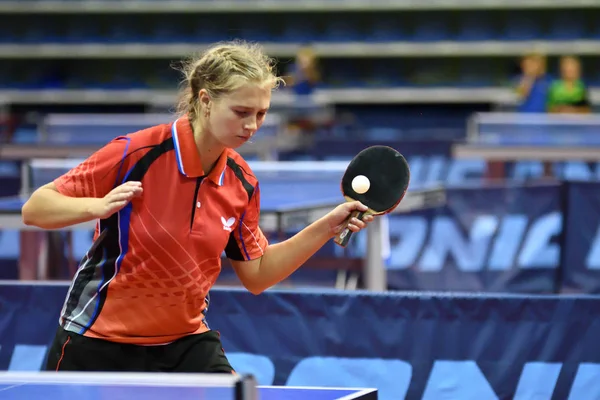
(235, 117)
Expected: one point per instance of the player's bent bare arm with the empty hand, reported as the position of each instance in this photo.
(49, 209)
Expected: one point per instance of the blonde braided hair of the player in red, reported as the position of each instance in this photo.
(221, 69)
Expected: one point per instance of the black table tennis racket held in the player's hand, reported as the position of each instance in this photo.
(388, 175)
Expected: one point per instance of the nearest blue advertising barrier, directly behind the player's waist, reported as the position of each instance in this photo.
(422, 346)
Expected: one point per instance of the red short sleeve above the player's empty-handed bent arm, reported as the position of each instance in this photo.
(97, 175)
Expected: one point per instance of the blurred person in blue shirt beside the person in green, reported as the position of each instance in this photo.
(534, 84)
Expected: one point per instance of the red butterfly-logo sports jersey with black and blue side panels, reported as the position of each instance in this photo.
(146, 278)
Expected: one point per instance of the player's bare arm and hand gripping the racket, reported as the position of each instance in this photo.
(280, 260)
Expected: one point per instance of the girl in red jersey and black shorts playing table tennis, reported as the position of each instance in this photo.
(169, 201)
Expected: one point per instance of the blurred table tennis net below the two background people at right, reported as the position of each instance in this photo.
(524, 129)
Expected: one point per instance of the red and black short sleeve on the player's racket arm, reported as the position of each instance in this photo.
(247, 242)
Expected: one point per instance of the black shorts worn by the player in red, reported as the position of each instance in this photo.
(201, 353)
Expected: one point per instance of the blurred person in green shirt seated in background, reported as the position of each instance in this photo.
(568, 94)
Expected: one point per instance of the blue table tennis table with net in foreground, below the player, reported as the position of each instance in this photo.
(159, 386)
